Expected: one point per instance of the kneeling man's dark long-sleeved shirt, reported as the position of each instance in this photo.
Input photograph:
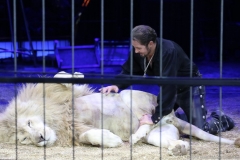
(175, 64)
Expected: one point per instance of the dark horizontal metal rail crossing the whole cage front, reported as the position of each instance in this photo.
(129, 80)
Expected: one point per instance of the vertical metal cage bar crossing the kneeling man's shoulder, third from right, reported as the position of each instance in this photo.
(160, 71)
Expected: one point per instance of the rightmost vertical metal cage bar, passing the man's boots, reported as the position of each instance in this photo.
(221, 60)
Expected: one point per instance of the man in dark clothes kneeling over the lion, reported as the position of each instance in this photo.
(175, 63)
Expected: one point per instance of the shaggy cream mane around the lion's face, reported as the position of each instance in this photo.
(54, 103)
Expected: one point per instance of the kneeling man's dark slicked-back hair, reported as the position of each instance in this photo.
(144, 34)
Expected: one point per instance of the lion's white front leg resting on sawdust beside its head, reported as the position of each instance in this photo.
(100, 137)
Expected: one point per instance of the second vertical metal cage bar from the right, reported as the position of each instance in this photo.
(191, 68)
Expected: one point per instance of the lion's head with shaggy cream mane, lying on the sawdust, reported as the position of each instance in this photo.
(40, 121)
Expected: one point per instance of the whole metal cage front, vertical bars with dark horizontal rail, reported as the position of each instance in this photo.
(103, 79)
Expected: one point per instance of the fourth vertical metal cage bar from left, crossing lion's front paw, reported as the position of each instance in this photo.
(102, 66)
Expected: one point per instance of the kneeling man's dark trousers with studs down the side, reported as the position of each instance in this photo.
(194, 105)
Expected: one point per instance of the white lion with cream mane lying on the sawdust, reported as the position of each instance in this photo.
(42, 114)
